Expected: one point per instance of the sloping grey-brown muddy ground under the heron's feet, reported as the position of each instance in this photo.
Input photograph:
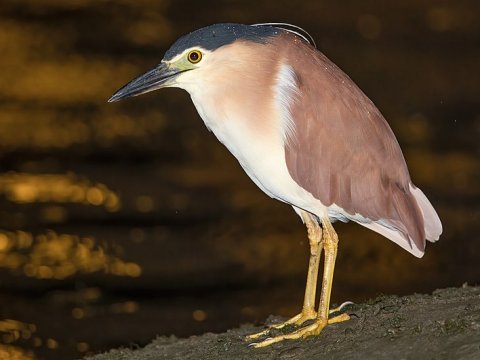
(444, 325)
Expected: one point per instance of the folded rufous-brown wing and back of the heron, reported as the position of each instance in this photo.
(346, 154)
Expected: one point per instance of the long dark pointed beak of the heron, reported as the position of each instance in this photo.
(154, 79)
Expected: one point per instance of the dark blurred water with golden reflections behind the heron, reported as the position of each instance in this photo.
(120, 222)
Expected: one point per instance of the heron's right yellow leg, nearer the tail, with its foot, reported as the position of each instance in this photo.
(330, 243)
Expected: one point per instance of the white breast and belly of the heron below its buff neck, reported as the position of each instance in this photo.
(259, 149)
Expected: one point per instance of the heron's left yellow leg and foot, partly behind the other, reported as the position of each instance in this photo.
(308, 309)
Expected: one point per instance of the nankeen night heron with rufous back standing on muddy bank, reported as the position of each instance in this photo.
(305, 134)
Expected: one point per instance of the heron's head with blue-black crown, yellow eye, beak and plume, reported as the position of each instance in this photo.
(196, 57)
